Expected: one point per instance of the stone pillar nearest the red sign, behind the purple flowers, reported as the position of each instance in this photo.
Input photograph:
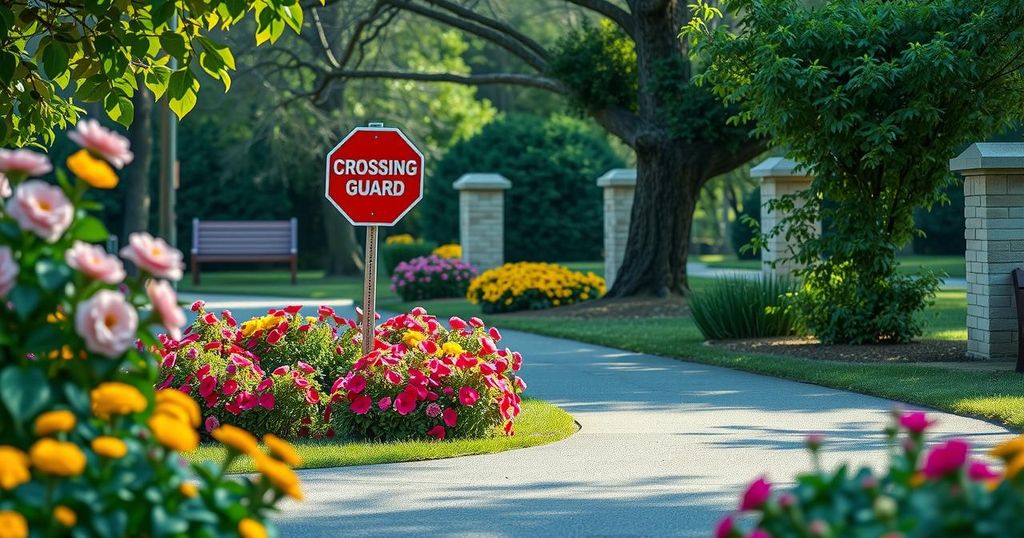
(482, 219)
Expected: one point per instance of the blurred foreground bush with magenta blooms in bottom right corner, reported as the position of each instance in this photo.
(942, 492)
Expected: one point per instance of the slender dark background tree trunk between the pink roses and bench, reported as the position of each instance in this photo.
(137, 177)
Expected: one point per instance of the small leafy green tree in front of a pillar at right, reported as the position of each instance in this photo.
(875, 97)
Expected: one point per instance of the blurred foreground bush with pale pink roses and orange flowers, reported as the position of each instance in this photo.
(88, 446)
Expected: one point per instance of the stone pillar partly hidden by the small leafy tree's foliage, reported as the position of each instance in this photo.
(780, 177)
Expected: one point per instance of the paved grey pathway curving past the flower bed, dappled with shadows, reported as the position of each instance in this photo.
(665, 449)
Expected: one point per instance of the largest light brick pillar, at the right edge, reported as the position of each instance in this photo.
(994, 209)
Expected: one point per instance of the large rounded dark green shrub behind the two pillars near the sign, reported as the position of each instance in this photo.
(554, 209)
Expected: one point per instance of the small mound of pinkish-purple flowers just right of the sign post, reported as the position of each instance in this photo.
(432, 278)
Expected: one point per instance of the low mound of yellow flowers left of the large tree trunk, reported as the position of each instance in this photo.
(533, 286)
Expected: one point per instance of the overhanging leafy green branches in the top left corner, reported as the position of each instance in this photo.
(56, 54)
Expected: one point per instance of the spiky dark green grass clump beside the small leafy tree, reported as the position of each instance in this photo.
(745, 308)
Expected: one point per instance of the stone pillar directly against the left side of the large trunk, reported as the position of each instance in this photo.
(620, 185)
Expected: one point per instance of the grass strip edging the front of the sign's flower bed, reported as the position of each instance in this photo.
(540, 424)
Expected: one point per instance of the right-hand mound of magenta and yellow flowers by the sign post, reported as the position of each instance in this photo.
(423, 380)
